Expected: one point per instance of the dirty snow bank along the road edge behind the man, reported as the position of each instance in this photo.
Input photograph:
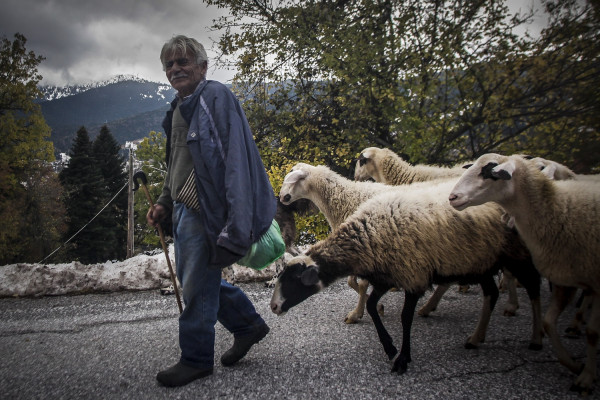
(141, 272)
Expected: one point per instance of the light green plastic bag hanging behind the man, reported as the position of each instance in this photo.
(266, 250)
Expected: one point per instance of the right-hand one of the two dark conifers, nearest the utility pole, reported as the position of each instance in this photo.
(113, 220)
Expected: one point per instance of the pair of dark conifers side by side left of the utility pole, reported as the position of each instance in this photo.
(94, 182)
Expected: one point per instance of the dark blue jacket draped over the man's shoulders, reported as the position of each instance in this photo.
(236, 198)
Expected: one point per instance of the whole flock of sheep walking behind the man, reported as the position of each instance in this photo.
(417, 226)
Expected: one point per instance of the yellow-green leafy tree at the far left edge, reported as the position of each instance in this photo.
(24, 148)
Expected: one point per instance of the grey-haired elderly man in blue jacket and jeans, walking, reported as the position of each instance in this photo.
(221, 202)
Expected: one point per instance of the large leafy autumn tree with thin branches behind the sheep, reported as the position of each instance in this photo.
(438, 81)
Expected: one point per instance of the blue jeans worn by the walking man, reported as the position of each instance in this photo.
(207, 298)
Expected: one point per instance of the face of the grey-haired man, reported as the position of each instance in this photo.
(183, 73)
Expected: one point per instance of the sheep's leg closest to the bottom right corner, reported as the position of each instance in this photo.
(585, 380)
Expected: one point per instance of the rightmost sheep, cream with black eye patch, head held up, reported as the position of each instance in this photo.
(559, 221)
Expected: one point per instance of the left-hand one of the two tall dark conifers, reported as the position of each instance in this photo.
(83, 185)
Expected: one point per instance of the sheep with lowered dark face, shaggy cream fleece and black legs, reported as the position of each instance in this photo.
(407, 238)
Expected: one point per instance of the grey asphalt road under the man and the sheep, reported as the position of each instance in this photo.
(110, 346)
